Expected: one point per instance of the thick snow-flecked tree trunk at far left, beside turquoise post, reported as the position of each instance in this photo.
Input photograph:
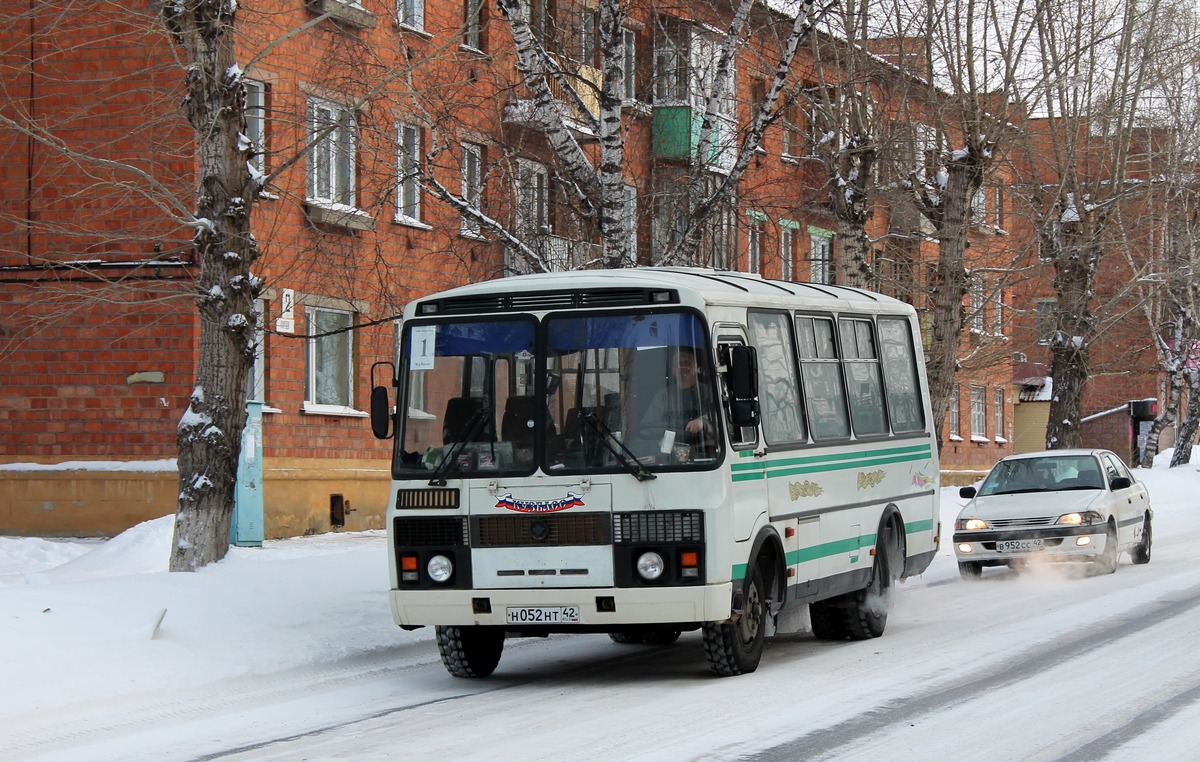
(209, 435)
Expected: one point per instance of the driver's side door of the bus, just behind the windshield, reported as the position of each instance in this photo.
(747, 463)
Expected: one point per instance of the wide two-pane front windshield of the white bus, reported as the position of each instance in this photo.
(589, 394)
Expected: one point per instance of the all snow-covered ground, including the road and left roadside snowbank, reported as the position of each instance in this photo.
(290, 652)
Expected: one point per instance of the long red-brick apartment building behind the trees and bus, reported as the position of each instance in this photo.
(100, 332)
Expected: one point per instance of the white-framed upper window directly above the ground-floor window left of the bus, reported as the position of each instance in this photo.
(332, 149)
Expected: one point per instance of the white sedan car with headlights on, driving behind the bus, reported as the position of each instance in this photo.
(1054, 506)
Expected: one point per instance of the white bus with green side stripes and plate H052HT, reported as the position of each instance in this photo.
(560, 467)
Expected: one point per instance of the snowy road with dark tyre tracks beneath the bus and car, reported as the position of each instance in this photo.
(1048, 665)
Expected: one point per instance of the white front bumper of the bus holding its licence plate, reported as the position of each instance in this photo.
(595, 608)
